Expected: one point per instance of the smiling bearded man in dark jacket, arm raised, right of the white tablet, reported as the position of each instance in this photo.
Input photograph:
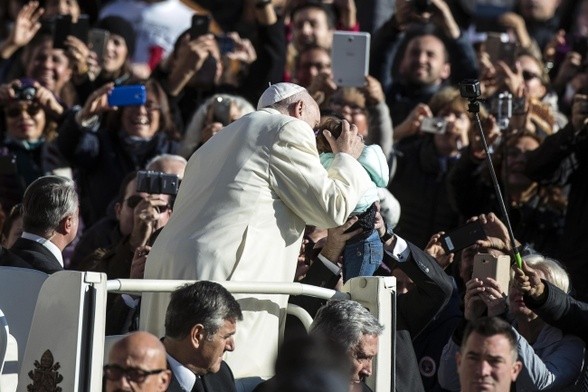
(413, 61)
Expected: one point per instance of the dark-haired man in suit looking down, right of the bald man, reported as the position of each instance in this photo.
(200, 325)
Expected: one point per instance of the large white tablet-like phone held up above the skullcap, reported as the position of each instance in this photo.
(350, 58)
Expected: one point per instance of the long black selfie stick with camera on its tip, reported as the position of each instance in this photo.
(470, 89)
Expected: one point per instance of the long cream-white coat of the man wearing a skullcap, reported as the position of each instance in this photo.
(240, 214)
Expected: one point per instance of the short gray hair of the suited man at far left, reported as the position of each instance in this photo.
(46, 202)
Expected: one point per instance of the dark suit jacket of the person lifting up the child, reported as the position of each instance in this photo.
(415, 309)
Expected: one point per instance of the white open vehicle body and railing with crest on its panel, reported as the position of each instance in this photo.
(65, 345)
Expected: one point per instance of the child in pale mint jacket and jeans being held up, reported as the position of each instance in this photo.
(364, 252)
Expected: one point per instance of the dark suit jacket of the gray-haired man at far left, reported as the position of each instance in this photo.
(30, 254)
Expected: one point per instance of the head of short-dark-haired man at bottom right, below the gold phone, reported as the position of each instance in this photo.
(487, 359)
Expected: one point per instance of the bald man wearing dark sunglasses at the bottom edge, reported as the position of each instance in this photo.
(137, 363)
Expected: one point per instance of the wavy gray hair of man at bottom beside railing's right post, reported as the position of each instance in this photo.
(344, 322)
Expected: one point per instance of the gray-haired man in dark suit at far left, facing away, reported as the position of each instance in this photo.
(50, 223)
